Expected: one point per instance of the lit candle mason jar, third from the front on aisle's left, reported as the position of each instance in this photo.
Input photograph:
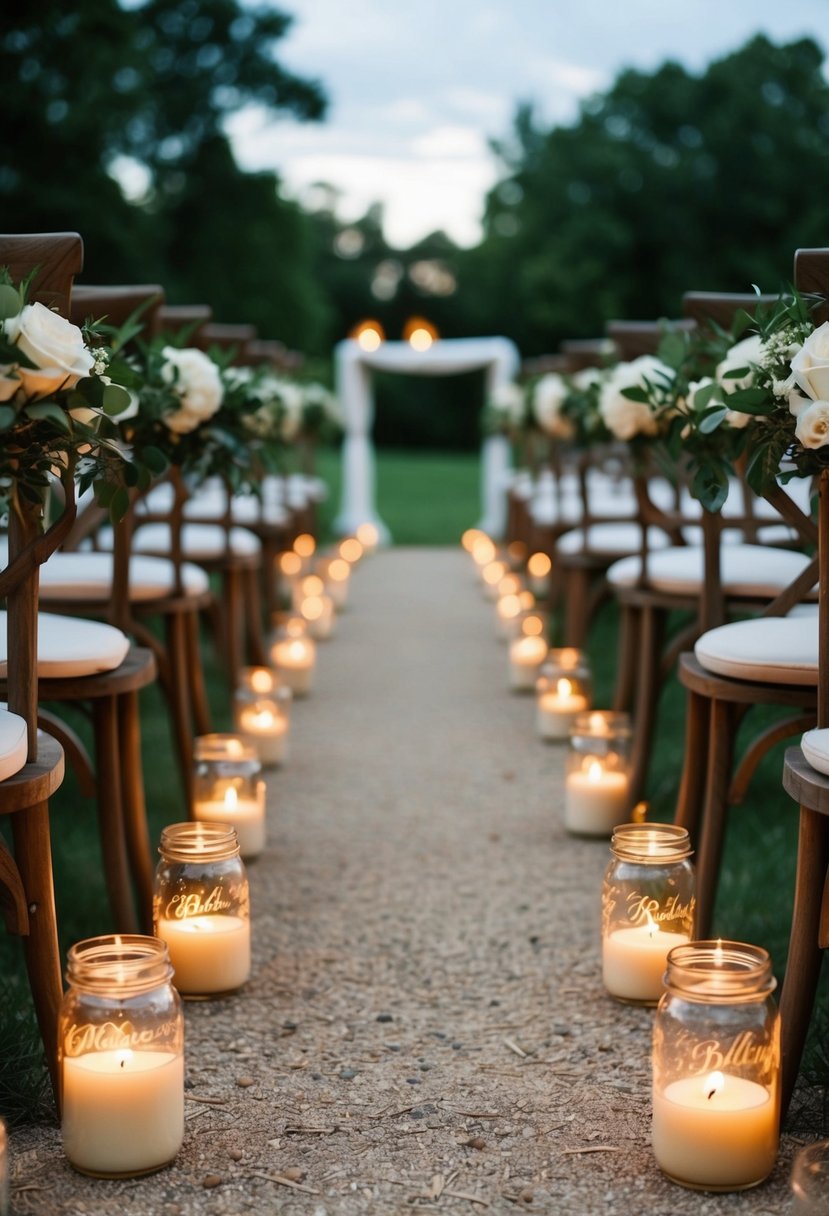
(228, 789)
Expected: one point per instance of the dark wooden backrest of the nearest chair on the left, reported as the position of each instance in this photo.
(58, 258)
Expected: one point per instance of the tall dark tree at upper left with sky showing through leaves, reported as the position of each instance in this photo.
(97, 91)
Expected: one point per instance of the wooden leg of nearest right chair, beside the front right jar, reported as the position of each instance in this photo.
(805, 955)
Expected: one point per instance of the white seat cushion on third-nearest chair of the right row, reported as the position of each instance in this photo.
(745, 570)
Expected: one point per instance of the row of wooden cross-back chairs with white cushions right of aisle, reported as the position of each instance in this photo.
(641, 541)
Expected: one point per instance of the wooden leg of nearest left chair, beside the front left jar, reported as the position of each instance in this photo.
(33, 857)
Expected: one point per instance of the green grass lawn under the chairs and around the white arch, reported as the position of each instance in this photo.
(426, 499)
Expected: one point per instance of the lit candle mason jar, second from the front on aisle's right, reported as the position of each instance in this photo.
(648, 903)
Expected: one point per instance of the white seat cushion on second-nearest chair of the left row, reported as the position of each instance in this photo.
(72, 648)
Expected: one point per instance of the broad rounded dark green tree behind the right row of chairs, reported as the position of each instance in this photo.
(669, 182)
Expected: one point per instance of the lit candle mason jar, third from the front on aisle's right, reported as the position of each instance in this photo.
(597, 787)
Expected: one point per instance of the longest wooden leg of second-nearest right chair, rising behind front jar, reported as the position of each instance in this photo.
(715, 812)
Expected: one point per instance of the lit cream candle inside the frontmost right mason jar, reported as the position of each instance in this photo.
(715, 1131)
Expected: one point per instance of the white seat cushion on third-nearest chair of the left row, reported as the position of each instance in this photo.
(88, 577)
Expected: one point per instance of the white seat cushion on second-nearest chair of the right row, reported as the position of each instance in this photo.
(770, 650)
